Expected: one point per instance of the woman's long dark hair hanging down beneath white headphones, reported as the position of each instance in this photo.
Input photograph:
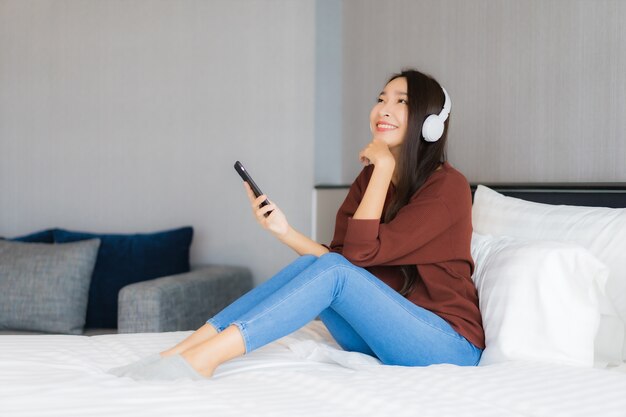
(419, 158)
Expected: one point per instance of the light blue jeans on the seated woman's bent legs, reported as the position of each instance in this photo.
(361, 312)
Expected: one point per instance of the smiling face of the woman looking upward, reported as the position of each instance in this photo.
(389, 116)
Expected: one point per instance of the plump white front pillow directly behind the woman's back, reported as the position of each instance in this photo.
(539, 301)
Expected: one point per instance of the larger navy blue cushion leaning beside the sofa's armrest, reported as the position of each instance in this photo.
(126, 259)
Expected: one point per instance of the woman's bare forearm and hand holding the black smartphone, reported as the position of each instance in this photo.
(277, 224)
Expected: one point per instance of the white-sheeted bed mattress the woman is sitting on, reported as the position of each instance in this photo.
(303, 374)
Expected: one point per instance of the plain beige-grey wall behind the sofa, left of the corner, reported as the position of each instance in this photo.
(127, 116)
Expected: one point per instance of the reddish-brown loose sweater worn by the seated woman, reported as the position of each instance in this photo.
(433, 231)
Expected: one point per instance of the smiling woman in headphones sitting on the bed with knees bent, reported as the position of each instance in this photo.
(395, 283)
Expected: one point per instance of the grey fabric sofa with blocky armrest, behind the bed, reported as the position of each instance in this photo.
(176, 302)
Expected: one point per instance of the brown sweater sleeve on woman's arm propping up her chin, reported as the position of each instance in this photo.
(434, 225)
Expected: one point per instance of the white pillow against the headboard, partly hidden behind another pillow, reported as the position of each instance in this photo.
(600, 230)
